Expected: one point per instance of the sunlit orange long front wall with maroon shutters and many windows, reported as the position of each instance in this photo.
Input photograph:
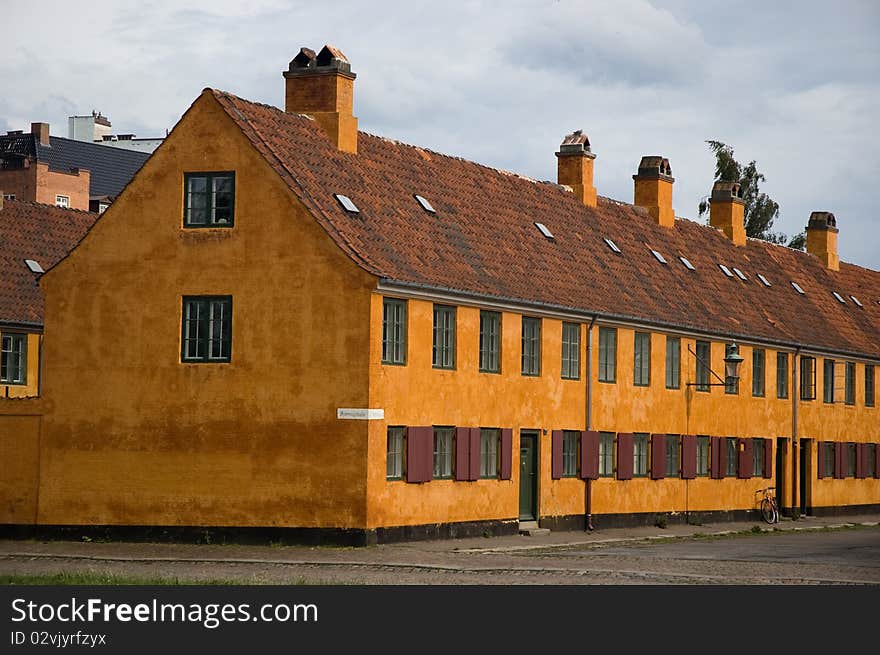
(417, 394)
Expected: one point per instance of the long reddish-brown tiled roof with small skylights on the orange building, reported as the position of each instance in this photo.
(483, 240)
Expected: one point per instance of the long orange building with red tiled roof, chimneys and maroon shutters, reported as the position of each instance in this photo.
(286, 323)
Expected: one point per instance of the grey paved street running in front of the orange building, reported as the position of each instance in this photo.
(841, 556)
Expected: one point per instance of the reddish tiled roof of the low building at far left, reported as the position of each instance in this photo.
(44, 233)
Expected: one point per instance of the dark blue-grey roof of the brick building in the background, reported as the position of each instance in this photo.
(111, 168)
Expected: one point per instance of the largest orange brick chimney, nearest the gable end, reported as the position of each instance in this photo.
(322, 86)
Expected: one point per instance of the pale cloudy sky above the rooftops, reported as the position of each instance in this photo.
(794, 86)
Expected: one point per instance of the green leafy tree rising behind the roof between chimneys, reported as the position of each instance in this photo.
(760, 209)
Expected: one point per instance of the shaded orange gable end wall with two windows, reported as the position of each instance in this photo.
(132, 435)
